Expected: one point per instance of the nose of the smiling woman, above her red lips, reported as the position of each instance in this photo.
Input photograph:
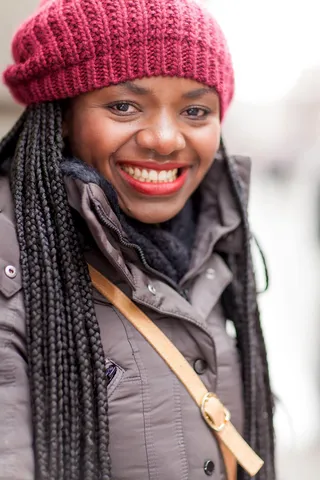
(162, 136)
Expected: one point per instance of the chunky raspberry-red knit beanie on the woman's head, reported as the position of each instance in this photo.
(70, 47)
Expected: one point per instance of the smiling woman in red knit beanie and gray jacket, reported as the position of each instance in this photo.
(117, 161)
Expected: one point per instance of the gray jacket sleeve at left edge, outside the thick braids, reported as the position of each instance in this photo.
(16, 438)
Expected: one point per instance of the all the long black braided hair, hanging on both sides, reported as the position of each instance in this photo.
(66, 360)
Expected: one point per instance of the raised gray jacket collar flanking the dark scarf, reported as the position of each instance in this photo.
(219, 226)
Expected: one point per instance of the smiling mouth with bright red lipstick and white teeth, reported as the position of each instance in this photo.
(153, 181)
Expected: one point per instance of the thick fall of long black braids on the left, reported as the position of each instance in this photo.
(66, 359)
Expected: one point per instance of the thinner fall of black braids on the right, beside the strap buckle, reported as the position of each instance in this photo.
(240, 303)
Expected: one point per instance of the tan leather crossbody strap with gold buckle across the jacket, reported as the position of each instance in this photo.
(232, 445)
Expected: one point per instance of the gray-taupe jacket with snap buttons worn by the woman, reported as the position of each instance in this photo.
(156, 430)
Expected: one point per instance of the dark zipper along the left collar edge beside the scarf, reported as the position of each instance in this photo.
(109, 224)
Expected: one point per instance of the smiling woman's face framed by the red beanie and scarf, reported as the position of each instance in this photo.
(153, 139)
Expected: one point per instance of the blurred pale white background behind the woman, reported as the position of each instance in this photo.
(275, 118)
